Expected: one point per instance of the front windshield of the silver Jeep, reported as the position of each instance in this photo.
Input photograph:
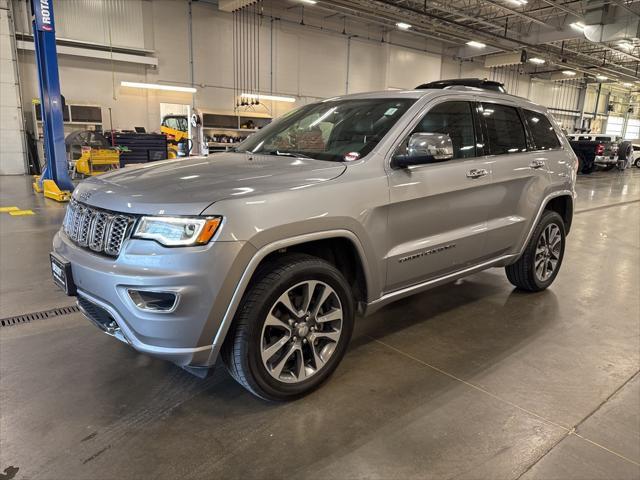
(334, 130)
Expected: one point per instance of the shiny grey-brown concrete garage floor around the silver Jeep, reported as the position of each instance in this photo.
(471, 380)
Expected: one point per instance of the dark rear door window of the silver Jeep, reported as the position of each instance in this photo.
(505, 130)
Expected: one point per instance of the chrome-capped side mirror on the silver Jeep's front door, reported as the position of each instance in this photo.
(423, 148)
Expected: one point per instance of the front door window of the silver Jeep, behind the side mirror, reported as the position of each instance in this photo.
(456, 120)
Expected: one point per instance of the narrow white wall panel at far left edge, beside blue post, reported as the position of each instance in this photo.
(12, 154)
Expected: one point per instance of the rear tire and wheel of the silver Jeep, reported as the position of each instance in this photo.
(522, 273)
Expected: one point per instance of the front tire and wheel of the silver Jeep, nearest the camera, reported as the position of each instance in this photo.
(262, 316)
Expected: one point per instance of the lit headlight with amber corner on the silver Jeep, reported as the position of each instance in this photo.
(177, 231)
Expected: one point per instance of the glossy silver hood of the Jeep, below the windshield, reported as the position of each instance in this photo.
(188, 187)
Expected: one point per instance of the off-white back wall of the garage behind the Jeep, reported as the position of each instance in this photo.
(309, 62)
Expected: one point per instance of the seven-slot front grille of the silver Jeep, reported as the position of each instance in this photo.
(98, 230)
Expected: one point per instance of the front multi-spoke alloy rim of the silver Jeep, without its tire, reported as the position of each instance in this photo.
(301, 331)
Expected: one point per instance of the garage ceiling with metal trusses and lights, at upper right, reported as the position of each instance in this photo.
(554, 30)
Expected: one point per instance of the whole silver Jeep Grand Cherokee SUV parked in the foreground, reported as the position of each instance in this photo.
(264, 255)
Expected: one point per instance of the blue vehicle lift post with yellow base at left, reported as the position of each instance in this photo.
(55, 180)
